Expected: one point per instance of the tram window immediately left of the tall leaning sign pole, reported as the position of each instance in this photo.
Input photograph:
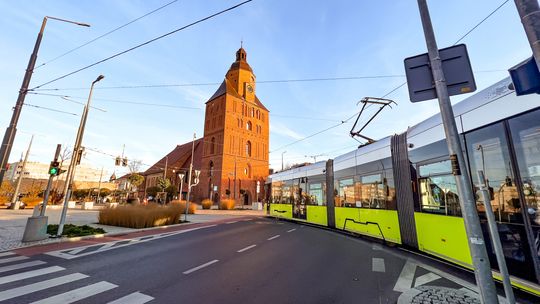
(438, 190)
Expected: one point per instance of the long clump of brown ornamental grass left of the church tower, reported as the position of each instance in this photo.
(141, 216)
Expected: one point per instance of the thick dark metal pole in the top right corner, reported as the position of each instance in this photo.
(529, 12)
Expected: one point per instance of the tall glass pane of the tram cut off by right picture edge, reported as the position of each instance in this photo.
(525, 131)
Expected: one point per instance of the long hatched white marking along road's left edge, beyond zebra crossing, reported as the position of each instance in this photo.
(65, 253)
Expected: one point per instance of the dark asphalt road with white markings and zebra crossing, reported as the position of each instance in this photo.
(244, 260)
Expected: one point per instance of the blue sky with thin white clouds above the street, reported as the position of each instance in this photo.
(284, 40)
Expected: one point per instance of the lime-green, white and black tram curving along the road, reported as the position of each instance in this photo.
(400, 189)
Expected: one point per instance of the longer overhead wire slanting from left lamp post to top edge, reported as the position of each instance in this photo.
(144, 43)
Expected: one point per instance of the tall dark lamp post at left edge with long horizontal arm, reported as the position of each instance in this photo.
(11, 131)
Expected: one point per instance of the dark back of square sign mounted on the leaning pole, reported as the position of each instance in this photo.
(457, 71)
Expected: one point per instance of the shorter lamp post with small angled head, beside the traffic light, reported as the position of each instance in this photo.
(75, 157)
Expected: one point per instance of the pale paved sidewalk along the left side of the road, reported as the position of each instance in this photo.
(13, 223)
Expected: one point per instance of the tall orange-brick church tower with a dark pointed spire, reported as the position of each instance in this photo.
(236, 138)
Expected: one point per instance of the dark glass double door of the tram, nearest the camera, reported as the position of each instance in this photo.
(490, 149)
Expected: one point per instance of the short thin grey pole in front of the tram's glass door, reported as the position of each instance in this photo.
(495, 239)
